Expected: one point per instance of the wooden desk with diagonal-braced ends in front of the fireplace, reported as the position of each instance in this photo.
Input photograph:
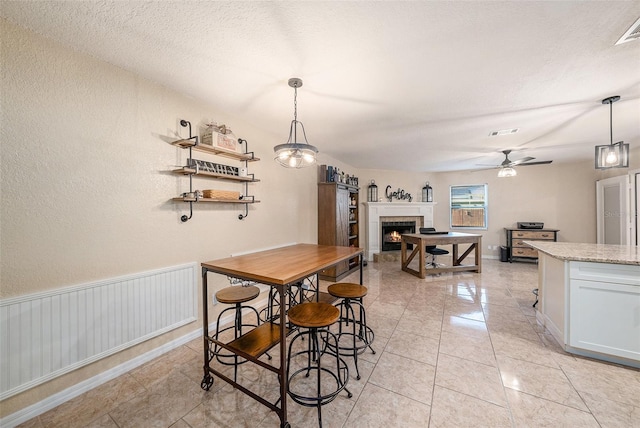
(420, 241)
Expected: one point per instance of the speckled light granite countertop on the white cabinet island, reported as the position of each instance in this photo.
(599, 253)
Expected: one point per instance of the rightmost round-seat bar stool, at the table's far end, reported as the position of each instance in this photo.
(354, 341)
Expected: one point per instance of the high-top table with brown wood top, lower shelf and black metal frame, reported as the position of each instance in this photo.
(279, 268)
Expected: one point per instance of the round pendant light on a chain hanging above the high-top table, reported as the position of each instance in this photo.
(295, 154)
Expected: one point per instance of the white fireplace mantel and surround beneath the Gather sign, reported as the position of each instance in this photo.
(375, 210)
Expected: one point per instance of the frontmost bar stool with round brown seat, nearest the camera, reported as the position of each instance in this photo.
(315, 318)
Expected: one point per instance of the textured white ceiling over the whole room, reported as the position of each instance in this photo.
(387, 85)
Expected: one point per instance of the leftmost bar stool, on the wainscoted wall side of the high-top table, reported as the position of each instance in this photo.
(234, 296)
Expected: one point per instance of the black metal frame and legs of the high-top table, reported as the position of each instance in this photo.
(207, 380)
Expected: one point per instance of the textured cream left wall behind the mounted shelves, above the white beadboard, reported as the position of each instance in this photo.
(86, 189)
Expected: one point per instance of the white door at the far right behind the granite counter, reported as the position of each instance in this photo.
(614, 210)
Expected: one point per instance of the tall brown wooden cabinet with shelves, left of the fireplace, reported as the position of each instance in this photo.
(338, 215)
